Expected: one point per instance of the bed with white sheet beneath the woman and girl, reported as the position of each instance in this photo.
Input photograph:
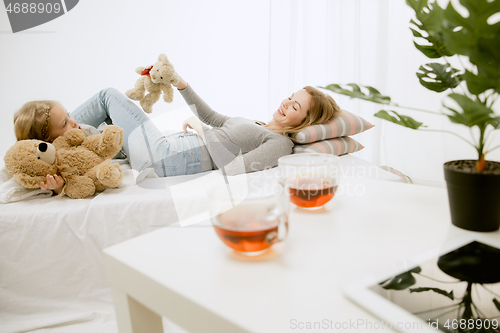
(52, 277)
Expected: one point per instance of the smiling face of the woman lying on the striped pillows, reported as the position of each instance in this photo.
(293, 110)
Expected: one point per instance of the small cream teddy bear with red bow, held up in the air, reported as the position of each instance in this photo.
(155, 79)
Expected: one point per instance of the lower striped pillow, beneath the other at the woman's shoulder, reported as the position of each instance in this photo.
(336, 146)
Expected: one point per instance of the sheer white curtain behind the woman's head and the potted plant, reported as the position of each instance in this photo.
(367, 42)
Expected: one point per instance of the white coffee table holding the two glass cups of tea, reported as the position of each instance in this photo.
(190, 277)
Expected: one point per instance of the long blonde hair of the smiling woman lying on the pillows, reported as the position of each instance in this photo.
(321, 109)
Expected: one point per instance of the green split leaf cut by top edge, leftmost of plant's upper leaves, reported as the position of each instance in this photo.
(429, 20)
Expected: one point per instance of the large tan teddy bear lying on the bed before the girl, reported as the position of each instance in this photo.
(84, 162)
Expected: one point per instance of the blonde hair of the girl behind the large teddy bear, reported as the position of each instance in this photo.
(32, 121)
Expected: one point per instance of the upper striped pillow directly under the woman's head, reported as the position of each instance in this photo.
(343, 125)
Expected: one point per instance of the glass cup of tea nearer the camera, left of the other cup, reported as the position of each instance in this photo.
(252, 223)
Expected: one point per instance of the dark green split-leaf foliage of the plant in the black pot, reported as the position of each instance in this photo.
(441, 33)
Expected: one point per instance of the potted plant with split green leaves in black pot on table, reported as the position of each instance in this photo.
(440, 34)
